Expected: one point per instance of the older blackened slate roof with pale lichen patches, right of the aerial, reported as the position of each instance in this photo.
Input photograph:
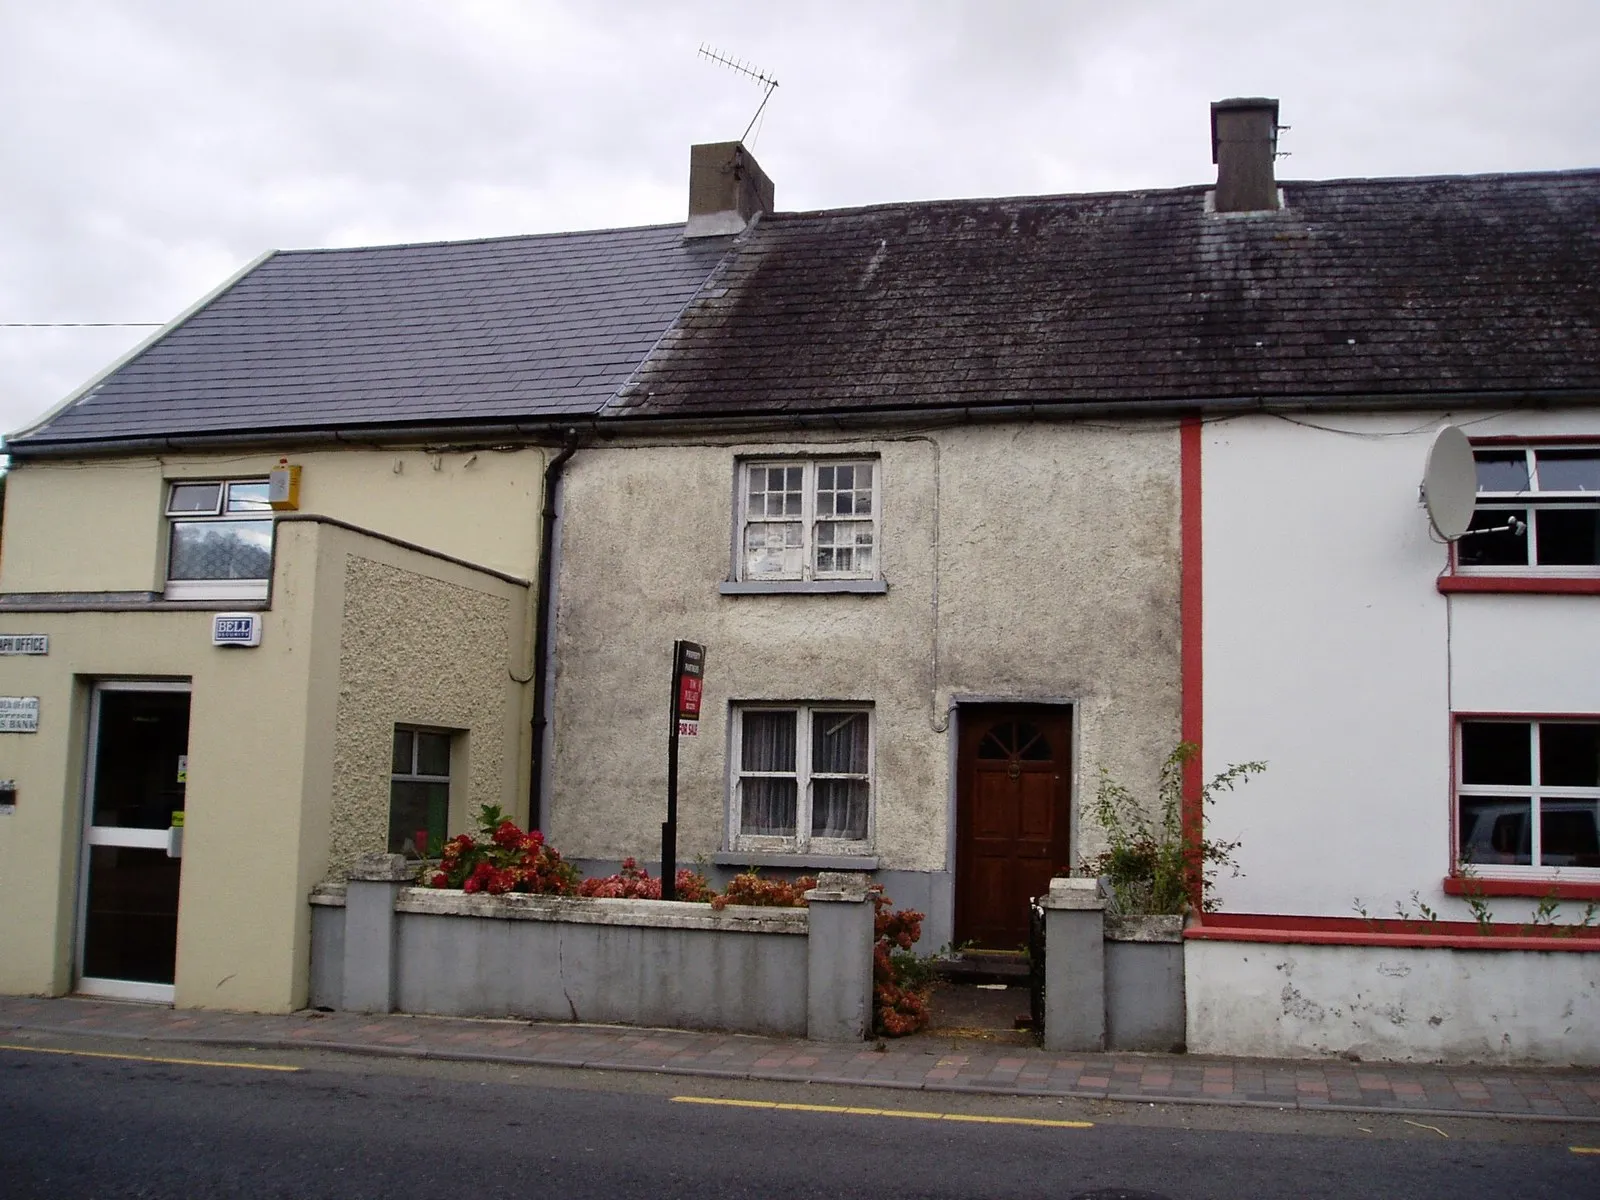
(1478, 284)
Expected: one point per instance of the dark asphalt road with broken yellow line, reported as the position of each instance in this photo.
(84, 1126)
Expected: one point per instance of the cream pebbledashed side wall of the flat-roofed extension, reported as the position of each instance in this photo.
(415, 650)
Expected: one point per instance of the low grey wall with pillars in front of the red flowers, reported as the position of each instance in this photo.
(791, 972)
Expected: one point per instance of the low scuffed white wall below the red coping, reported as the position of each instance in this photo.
(1394, 1004)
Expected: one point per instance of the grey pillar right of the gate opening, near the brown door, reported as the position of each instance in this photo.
(1074, 966)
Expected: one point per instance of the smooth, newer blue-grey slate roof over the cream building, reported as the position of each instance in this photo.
(465, 332)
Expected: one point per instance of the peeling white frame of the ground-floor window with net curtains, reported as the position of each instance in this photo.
(802, 842)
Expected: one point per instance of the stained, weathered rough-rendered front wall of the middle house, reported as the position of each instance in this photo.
(1050, 575)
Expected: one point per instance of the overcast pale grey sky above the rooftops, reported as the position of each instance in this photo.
(153, 148)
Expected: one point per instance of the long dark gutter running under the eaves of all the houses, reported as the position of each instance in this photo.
(618, 423)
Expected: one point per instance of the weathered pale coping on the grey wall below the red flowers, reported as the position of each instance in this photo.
(583, 911)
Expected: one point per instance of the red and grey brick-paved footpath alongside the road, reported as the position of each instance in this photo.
(927, 1062)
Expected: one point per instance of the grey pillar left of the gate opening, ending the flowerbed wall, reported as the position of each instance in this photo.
(839, 978)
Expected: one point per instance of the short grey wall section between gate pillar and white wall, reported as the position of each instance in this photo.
(1145, 983)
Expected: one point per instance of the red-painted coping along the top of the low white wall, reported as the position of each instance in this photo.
(1254, 927)
